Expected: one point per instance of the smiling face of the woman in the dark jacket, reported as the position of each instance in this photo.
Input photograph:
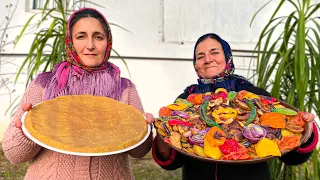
(210, 59)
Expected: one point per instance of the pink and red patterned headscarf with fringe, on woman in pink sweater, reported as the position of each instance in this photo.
(71, 77)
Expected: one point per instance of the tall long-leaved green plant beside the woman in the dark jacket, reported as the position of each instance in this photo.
(292, 58)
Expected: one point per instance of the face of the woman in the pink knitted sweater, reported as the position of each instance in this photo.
(90, 41)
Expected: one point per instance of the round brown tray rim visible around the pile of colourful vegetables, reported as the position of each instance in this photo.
(307, 128)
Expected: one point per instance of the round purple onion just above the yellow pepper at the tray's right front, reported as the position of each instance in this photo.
(254, 133)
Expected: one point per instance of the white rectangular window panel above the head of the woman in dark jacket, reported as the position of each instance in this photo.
(185, 20)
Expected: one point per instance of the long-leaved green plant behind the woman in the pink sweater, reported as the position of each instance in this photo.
(48, 46)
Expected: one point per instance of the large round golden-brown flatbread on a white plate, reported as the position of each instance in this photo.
(85, 123)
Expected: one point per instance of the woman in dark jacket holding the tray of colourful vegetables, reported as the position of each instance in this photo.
(214, 65)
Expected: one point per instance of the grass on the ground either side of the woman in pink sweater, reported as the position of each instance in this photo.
(143, 169)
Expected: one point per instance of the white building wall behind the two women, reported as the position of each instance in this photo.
(158, 45)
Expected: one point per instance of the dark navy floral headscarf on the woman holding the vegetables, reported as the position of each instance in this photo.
(226, 79)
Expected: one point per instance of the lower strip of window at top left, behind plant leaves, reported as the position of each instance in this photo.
(69, 4)
